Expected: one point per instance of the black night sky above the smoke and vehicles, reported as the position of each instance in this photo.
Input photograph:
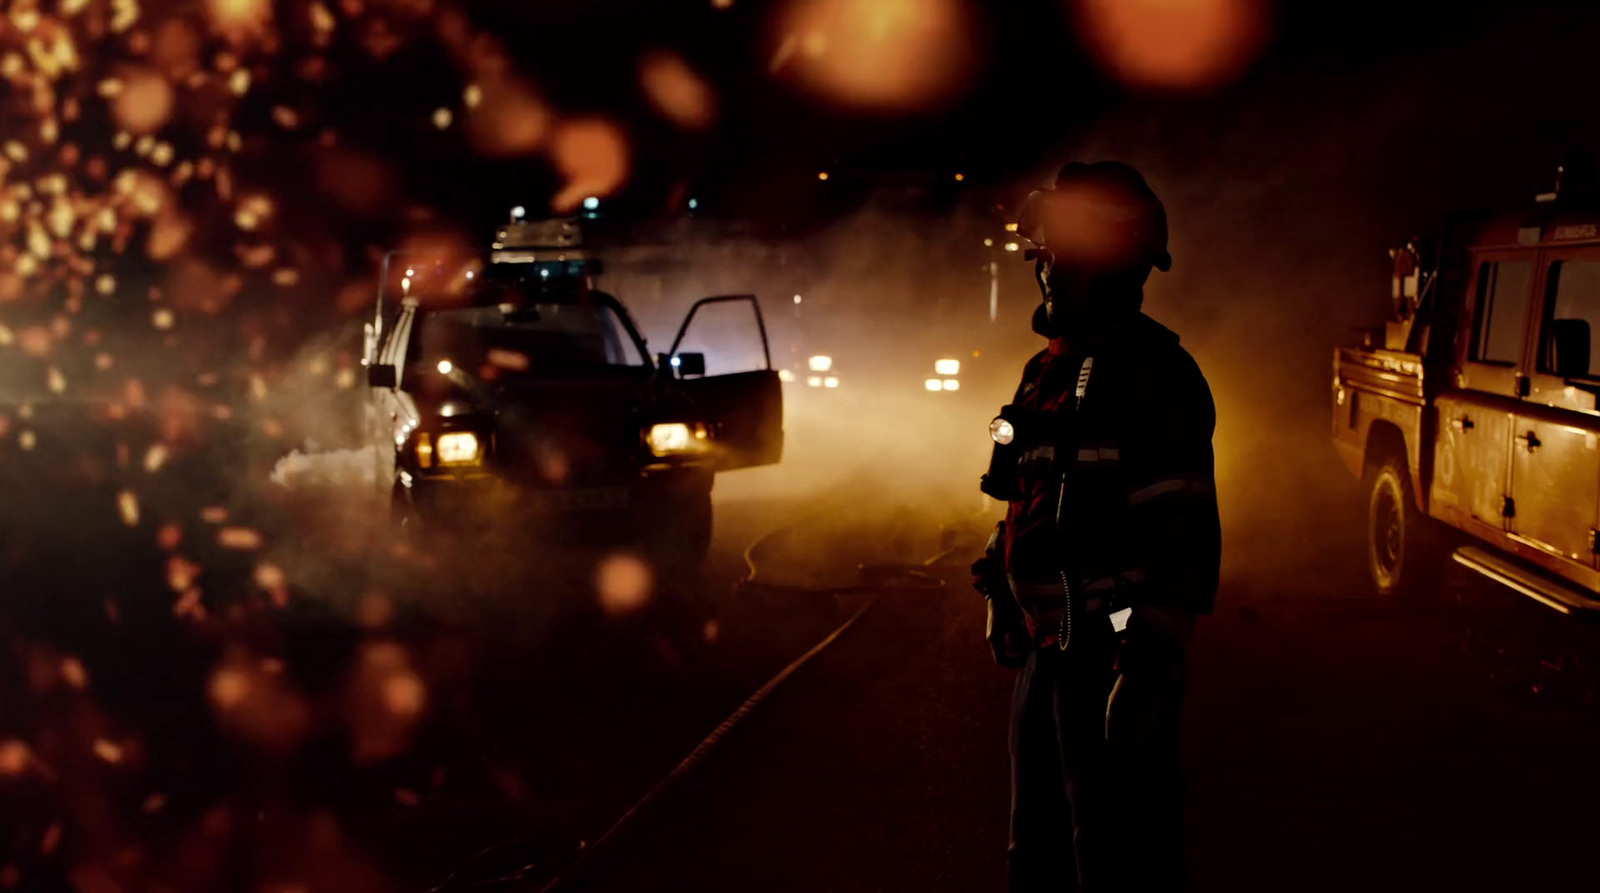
(1510, 76)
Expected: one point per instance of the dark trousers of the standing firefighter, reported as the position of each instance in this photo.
(1089, 815)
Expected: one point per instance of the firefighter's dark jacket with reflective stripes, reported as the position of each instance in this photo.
(1118, 497)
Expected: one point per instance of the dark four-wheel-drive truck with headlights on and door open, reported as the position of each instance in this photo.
(513, 388)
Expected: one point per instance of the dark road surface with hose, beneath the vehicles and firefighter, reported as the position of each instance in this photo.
(382, 723)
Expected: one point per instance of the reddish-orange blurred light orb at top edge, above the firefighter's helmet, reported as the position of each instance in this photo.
(1174, 44)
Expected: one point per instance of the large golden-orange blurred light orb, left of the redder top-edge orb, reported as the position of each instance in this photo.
(881, 55)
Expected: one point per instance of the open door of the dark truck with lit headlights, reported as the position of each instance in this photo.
(743, 409)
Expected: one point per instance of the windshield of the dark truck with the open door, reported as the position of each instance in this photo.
(532, 340)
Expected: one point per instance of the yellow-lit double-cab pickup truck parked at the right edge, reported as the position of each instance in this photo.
(1476, 417)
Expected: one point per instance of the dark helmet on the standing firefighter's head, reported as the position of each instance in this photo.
(1102, 215)
